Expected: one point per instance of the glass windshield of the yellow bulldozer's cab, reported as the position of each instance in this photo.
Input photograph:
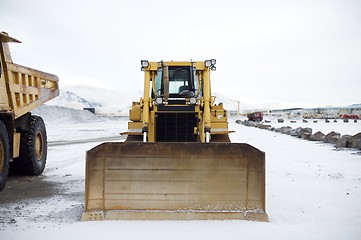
(182, 81)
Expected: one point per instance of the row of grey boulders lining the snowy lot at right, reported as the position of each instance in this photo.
(335, 138)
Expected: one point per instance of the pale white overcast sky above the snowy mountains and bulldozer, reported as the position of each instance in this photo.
(303, 53)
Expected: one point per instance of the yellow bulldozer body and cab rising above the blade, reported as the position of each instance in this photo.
(177, 105)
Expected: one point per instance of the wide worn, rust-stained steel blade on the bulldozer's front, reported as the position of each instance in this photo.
(174, 181)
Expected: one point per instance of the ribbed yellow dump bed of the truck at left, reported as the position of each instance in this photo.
(23, 89)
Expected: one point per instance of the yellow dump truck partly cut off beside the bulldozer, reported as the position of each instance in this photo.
(23, 142)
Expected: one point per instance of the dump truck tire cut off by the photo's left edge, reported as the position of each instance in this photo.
(4, 155)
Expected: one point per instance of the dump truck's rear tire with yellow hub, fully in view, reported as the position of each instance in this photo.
(33, 149)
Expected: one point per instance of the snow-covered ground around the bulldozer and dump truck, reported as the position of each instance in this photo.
(313, 191)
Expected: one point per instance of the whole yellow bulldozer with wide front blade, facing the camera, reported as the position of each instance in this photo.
(177, 162)
